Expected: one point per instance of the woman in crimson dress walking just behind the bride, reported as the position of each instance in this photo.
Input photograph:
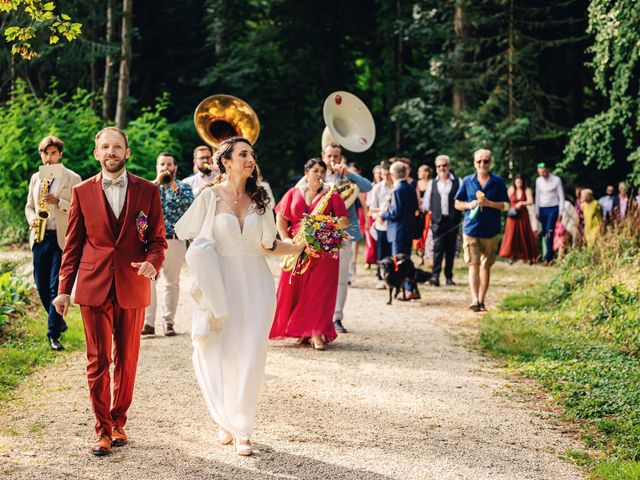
(305, 303)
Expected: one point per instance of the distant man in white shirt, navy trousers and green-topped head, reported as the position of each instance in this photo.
(549, 203)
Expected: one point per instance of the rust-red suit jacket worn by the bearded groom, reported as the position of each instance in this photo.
(98, 256)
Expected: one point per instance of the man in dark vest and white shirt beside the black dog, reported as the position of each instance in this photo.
(439, 199)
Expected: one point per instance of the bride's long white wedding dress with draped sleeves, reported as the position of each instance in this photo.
(234, 306)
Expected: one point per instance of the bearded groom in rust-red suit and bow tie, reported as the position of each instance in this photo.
(115, 243)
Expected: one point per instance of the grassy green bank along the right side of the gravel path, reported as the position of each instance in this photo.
(578, 335)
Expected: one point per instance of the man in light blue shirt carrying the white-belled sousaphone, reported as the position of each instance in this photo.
(336, 172)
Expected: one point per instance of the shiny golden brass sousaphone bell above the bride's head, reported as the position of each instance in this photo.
(224, 116)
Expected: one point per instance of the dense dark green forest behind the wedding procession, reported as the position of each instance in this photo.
(533, 80)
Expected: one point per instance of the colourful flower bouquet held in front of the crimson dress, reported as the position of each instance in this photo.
(323, 237)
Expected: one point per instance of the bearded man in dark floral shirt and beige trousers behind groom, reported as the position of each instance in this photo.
(176, 197)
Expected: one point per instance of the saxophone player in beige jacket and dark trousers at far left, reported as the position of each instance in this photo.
(47, 254)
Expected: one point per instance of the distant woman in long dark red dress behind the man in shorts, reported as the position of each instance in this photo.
(518, 242)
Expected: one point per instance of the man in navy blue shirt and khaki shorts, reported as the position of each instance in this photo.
(482, 196)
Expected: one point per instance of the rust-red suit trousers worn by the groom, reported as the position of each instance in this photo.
(110, 329)
